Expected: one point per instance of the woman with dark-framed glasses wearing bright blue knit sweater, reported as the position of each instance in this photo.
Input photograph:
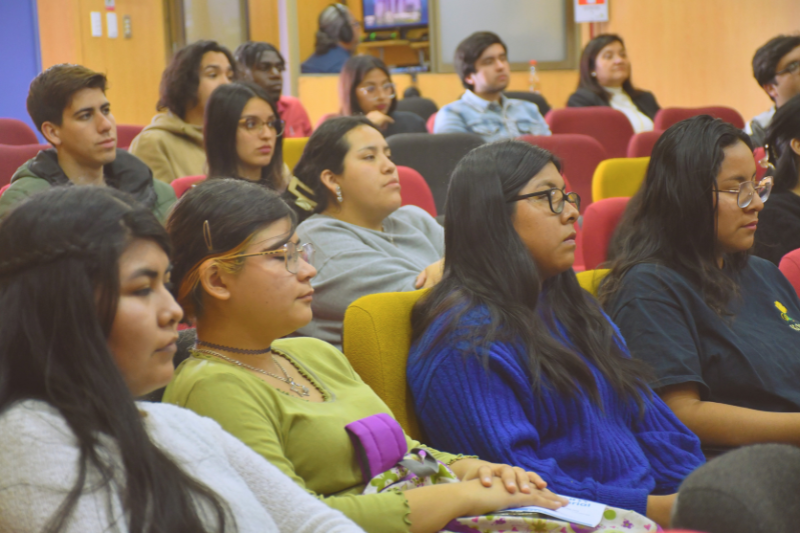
(514, 362)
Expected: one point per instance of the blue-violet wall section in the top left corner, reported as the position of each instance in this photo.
(21, 57)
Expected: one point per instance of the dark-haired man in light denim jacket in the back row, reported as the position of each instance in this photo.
(482, 65)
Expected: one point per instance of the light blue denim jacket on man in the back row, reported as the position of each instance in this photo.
(492, 121)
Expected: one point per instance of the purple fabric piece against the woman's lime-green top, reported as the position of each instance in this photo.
(379, 442)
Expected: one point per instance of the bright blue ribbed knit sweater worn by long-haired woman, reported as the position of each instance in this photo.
(612, 455)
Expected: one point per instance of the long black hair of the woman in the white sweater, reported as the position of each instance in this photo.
(59, 288)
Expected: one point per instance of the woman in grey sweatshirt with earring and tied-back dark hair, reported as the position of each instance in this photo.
(347, 193)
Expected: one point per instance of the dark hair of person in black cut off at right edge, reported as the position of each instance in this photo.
(784, 126)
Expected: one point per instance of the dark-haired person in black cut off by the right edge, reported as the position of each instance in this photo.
(779, 223)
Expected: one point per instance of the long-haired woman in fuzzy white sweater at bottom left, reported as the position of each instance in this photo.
(89, 324)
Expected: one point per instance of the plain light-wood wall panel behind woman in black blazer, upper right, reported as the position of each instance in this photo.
(694, 53)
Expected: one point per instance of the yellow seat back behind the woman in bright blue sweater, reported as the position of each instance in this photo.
(376, 341)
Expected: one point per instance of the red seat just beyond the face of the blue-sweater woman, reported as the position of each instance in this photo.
(579, 155)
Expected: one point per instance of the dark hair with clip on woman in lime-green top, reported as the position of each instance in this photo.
(234, 211)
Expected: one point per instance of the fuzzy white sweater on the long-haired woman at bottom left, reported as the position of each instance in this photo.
(38, 466)
